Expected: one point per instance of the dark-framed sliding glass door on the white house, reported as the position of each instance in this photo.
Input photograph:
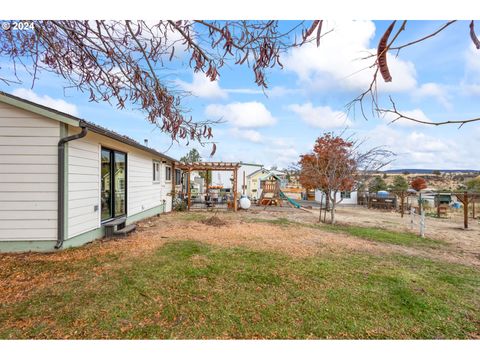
(113, 184)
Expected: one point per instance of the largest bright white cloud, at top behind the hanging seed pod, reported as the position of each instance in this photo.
(337, 63)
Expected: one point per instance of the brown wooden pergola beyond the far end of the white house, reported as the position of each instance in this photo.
(210, 166)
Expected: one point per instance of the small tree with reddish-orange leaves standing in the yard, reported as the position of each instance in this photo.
(338, 164)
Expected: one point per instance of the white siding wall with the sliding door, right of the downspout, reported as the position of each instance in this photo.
(143, 194)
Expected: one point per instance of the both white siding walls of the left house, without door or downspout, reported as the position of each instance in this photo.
(28, 182)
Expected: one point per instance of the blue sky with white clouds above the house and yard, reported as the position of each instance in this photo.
(436, 80)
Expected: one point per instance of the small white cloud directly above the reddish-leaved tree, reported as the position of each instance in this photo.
(320, 116)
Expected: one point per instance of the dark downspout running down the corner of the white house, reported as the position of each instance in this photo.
(61, 184)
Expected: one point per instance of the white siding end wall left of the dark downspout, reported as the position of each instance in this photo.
(28, 176)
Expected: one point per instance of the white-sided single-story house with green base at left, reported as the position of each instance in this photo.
(63, 178)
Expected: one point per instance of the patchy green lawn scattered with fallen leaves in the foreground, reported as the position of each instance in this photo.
(190, 290)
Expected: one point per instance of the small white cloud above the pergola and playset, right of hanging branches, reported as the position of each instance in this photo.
(242, 114)
